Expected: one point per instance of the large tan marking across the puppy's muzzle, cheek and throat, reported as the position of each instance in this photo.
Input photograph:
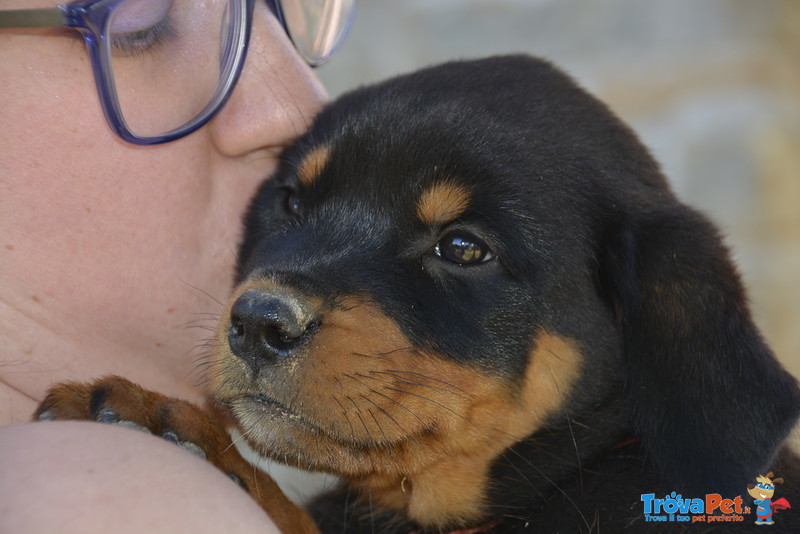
(415, 430)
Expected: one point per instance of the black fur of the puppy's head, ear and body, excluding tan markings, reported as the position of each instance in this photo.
(581, 238)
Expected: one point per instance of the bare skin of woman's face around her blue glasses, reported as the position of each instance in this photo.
(120, 247)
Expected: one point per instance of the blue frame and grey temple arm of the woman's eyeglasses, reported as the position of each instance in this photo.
(89, 17)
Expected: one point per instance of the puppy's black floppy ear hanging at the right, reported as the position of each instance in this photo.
(708, 399)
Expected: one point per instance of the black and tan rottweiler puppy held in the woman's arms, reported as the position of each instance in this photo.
(471, 294)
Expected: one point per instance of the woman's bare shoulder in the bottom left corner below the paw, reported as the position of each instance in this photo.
(84, 477)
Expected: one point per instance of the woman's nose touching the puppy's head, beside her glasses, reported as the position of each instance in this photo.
(276, 97)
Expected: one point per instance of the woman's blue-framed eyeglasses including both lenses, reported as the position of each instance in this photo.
(163, 68)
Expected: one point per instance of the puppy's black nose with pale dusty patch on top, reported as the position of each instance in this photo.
(268, 326)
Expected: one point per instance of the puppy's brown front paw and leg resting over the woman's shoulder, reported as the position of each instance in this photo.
(114, 400)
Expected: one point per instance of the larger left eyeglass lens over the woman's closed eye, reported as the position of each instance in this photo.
(170, 59)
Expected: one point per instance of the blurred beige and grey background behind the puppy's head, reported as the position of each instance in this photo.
(712, 87)
